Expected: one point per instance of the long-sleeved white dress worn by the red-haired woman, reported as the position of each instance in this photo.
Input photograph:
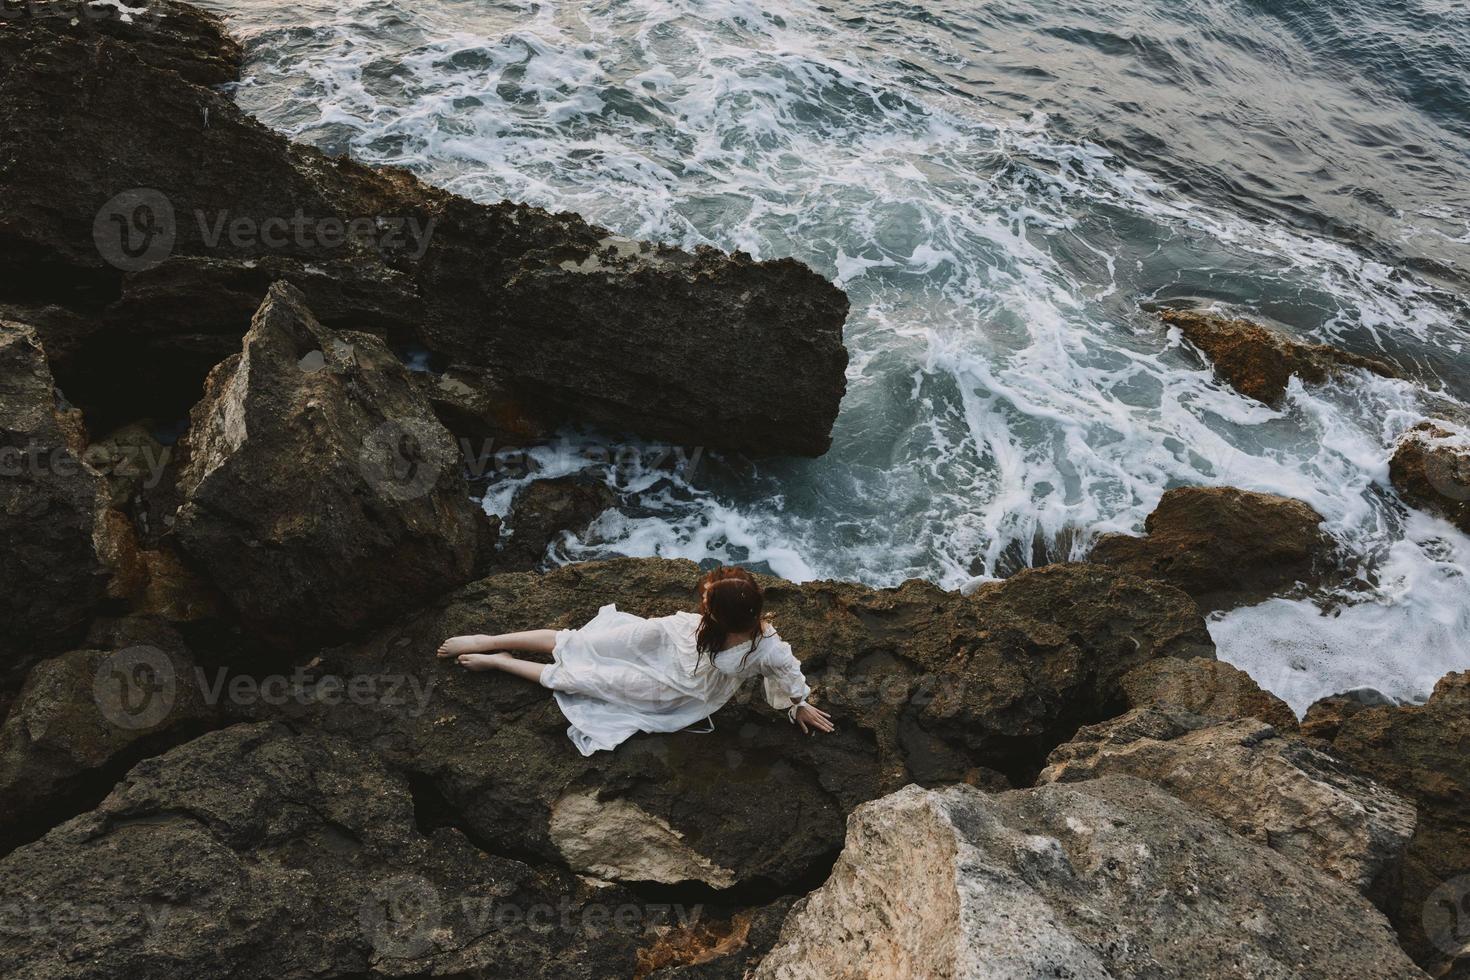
(623, 674)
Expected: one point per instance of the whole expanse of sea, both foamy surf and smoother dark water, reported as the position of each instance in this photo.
(1002, 189)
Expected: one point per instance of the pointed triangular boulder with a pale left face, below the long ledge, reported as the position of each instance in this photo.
(321, 494)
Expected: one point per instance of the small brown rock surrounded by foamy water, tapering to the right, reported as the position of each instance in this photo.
(1259, 362)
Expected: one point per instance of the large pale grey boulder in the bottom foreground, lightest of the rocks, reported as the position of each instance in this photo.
(1109, 878)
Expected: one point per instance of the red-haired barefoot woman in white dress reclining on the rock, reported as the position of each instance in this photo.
(623, 674)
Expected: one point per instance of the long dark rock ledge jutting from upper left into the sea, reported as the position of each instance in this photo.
(199, 209)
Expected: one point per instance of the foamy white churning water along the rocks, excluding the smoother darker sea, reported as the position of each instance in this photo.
(1008, 400)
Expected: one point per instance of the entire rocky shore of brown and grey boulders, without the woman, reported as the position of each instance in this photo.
(227, 749)
